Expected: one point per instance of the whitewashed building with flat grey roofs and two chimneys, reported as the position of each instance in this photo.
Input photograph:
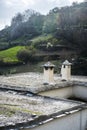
(28, 100)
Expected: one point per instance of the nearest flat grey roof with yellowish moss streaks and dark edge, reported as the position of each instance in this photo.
(20, 111)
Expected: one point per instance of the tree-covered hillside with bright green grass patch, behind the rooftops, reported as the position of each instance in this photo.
(61, 34)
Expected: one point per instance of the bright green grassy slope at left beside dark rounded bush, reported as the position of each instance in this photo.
(9, 55)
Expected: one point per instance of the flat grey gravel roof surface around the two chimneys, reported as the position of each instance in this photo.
(34, 82)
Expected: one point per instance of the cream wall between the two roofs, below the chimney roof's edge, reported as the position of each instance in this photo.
(77, 91)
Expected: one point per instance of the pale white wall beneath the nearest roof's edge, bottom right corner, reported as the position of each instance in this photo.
(74, 121)
